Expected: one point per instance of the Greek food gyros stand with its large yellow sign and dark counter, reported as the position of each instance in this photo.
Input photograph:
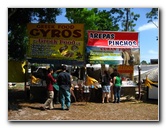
(54, 44)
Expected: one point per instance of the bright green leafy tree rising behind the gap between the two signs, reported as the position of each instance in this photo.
(93, 19)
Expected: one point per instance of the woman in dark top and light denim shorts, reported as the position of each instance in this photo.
(106, 83)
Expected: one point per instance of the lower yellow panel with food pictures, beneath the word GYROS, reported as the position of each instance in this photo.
(55, 49)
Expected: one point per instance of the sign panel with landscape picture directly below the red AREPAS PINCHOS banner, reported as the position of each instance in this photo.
(106, 55)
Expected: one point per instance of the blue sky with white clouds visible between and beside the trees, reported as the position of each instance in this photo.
(149, 46)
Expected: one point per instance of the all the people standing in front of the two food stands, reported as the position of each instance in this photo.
(59, 85)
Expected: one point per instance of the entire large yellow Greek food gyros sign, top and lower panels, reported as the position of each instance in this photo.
(56, 41)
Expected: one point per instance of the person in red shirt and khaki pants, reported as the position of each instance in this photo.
(50, 90)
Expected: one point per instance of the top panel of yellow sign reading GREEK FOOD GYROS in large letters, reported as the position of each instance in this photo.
(56, 31)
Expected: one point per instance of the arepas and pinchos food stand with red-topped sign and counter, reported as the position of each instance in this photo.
(118, 50)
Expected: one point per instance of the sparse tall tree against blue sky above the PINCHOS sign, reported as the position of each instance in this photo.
(125, 17)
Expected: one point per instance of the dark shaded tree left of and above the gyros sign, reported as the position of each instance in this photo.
(17, 23)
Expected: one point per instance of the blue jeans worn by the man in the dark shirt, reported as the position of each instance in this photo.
(65, 98)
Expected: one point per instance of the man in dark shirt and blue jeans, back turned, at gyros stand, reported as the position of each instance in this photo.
(64, 82)
